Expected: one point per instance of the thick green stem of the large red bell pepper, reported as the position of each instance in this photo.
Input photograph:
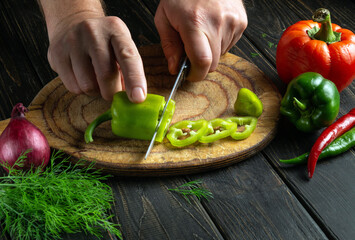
(325, 33)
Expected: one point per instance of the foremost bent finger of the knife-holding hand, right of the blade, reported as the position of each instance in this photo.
(199, 52)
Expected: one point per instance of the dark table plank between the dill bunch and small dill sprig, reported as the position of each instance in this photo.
(146, 209)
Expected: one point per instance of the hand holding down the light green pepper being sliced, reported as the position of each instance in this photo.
(96, 55)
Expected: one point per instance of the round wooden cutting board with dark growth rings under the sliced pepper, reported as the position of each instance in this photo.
(63, 118)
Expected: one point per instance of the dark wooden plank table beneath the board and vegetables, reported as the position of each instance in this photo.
(254, 199)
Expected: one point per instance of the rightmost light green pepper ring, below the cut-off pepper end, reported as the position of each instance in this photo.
(249, 124)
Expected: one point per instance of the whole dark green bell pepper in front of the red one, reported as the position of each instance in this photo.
(311, 102)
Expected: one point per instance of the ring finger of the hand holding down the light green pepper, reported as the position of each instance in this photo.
(84, 73)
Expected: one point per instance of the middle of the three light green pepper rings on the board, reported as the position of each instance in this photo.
(217, 129)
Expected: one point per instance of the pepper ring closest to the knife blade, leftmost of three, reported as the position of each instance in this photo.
(187, 132)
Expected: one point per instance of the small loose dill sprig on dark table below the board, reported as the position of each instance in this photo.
(193, 188)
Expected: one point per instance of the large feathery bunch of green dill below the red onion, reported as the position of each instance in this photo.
(62, 198)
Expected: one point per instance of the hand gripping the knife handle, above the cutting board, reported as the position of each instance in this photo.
(204, 29)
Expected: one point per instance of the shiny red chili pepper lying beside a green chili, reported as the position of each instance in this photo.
(338, 128)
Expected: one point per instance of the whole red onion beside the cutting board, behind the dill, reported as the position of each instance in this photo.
(19, 136)
